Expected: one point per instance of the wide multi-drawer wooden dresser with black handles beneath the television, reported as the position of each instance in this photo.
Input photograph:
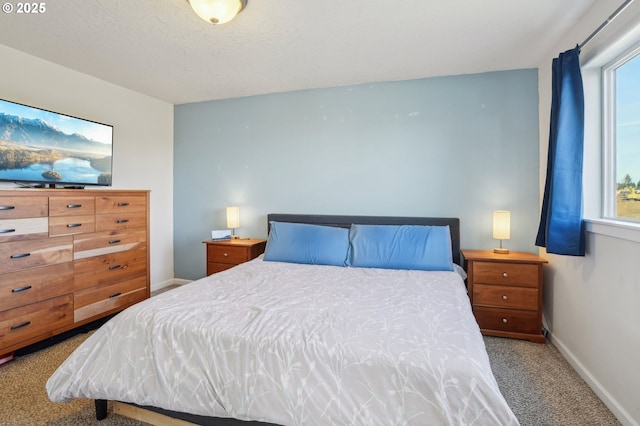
(69, 257)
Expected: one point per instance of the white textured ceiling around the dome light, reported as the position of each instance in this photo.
(162, 49)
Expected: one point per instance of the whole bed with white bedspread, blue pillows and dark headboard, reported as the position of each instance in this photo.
(300, 337)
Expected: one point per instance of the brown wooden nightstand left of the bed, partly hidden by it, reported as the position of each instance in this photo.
(223, 255)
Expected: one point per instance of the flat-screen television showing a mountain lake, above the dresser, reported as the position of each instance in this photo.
(45, 148)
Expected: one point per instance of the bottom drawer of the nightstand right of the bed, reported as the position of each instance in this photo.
(507, 320)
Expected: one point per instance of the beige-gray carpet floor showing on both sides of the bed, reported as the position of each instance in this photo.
(539, 385)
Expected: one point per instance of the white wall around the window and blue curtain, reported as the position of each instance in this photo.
(591, 303)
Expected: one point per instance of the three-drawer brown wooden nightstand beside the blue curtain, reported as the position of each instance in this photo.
(506, 293)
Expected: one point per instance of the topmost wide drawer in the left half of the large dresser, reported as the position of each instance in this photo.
(32, 253)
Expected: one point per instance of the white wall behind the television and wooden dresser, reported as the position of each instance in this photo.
(143, 135)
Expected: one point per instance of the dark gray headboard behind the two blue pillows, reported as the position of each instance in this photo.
(347, 221)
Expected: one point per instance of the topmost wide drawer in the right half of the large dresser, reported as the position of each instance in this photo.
(99, 243)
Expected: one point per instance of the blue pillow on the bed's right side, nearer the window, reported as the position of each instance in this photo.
(426, 248)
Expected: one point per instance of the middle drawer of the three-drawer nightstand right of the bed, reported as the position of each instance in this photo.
(505, 297)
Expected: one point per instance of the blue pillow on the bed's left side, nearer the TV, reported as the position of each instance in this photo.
(304, 243)
